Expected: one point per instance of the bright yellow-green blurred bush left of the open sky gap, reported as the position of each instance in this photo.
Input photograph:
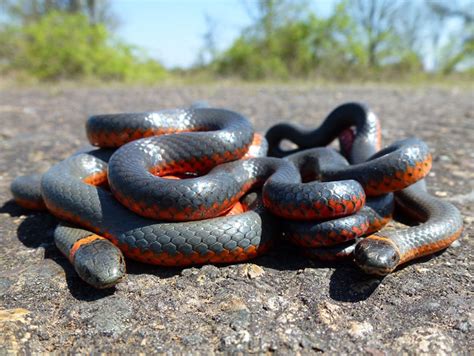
(66, 45)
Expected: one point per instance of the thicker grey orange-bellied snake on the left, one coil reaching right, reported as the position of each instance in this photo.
(117, 200)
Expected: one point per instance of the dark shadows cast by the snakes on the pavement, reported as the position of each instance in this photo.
(37, 230)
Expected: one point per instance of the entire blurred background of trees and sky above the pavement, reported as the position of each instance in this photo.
(151, 42)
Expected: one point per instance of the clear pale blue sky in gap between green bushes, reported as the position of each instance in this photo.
(172, 31)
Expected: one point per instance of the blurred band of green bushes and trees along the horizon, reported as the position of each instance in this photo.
(361, 40)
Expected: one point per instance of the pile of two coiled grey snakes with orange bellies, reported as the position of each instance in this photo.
(198, 185)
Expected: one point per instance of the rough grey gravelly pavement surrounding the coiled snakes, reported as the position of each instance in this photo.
(280, 302)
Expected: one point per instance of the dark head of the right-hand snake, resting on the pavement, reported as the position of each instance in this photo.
(376, 255)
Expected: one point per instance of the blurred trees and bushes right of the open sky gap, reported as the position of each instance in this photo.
(362, 39)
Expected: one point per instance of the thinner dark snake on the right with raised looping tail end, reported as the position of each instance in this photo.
(380, 171)
